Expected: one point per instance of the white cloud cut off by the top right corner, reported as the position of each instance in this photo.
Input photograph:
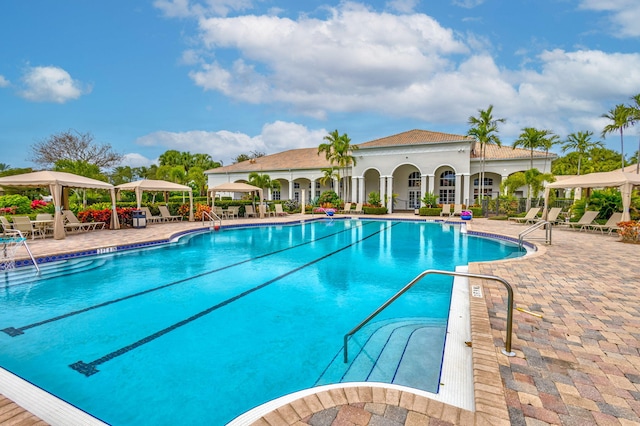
(624, 15)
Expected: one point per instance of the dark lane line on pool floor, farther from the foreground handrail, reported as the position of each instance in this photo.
(17, 331)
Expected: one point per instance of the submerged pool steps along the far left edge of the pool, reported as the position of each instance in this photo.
(20, 276)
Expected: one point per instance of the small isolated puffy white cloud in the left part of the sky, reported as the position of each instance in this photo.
(51, 84)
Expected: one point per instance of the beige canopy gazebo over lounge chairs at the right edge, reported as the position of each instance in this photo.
(615, 179)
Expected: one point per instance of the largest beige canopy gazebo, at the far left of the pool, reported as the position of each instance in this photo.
(57, 182)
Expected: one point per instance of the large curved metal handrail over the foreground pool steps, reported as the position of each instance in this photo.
(507, 347)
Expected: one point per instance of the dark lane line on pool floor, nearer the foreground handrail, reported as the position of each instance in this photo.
(89, 368)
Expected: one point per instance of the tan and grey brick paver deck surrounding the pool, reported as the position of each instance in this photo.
(579, 364)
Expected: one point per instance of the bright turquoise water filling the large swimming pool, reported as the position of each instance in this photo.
(210, 327)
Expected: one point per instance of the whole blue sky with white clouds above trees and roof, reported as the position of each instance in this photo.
(226, 77)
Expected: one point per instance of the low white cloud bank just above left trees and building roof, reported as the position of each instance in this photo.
(274, 137)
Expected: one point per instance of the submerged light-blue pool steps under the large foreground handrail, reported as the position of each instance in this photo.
(407, 352)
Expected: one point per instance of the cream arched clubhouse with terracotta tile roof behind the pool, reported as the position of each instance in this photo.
(408, 164)
